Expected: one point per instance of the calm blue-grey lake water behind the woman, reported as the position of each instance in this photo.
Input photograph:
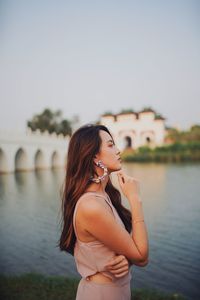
(30, 214)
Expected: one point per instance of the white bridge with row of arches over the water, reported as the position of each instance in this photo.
(26, 151)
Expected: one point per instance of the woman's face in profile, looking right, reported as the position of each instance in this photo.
(109, 154)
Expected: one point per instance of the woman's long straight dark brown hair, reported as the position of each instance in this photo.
(83, 146)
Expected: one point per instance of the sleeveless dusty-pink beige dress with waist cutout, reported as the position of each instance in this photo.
(91, 257)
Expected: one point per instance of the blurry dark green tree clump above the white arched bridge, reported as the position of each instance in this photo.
(50, 121)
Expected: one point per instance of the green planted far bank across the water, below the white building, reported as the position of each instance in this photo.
(177, 152)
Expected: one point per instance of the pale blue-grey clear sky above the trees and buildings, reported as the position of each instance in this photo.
(88, 57)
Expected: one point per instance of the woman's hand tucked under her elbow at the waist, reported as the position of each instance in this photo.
(118, 266)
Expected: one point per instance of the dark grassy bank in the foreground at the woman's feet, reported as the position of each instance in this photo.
(34, 286)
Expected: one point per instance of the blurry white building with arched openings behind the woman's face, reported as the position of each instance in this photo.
(135, 129)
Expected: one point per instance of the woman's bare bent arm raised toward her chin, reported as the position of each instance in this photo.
(99, 222)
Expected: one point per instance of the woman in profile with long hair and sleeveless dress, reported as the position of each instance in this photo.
(97, 228)
